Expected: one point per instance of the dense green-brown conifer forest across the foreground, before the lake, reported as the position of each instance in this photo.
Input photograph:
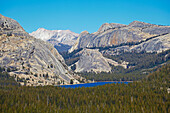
(146, 96)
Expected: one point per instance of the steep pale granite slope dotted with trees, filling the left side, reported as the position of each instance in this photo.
(29, 60)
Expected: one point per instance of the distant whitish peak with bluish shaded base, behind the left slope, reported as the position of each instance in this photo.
(61, 39)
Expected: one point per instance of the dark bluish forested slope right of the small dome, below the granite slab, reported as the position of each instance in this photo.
(141, 60)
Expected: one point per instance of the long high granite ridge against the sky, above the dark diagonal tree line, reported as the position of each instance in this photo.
(115, 34)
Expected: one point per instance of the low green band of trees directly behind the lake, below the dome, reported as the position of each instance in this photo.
(117, 75)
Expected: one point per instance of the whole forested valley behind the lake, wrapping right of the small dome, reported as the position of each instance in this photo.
(140, 64)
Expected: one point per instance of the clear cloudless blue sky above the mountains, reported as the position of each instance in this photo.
(80, 15)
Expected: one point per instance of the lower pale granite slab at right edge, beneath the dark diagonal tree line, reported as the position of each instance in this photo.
(156, 44)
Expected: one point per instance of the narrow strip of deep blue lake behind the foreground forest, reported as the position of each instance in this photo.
(90, 84)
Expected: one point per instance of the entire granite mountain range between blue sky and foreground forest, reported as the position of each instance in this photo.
(34, 58)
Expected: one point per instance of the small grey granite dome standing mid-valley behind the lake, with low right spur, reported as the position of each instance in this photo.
(91, 60)
